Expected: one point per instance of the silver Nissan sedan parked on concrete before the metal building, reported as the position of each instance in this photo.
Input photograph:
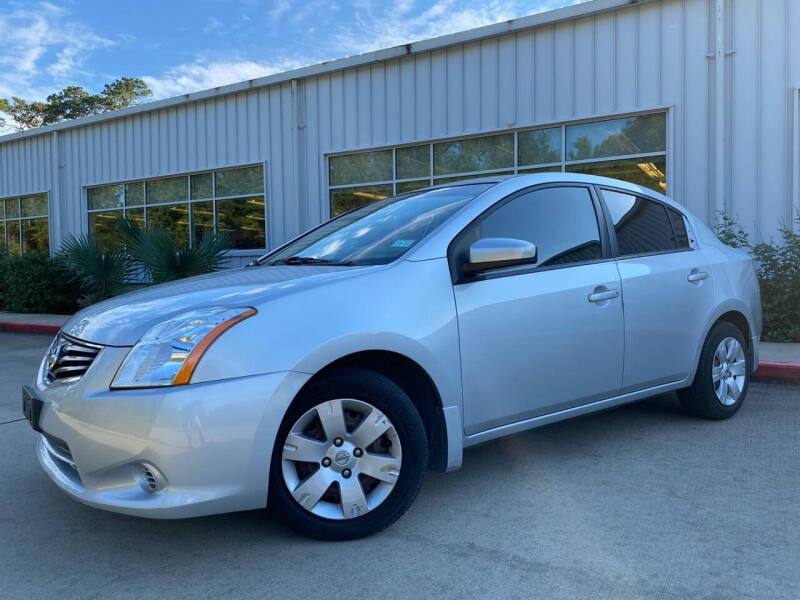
(326, 378)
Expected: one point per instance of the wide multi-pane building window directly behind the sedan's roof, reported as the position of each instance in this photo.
(631, 148)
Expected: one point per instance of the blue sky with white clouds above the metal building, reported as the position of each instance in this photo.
(182, 46)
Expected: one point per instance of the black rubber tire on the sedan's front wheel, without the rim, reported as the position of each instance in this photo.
(382, 393)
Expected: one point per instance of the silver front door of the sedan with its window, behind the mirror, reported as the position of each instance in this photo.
(542, 338)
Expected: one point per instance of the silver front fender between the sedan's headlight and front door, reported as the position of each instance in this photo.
(404, 308)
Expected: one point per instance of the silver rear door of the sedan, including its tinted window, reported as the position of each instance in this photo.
(667, 288)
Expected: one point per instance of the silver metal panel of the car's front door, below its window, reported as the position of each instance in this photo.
(532, 343)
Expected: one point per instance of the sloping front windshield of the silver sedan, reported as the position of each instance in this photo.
(379, 232)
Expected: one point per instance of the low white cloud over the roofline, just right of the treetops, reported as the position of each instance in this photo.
(201, 75)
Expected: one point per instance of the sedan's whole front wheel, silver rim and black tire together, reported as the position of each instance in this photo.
(349, 457)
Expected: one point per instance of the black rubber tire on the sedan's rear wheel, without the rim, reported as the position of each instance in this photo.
(700, 398)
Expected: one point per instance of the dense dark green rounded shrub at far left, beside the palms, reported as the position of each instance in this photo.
(39, 284)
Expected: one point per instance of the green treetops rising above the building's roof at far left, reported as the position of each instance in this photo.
(73, 102)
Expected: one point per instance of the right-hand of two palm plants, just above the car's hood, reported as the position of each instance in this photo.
(165, 260)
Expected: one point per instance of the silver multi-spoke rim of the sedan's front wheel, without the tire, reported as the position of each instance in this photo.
(341, 459)
